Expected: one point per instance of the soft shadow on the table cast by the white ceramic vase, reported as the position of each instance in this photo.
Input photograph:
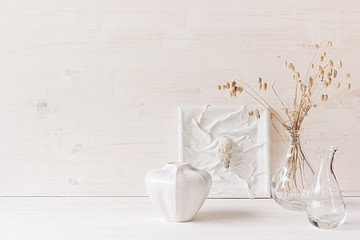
(222, 215)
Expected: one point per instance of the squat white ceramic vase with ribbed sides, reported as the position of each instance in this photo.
(178, 190)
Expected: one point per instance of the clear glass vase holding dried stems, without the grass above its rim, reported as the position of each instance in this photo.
(291, 182)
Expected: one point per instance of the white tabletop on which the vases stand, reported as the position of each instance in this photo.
(134, 218)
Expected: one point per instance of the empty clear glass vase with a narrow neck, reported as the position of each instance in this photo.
(326, 208)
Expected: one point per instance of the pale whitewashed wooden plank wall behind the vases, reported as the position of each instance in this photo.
(90, 88)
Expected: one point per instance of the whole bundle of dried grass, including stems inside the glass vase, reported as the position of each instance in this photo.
(321, 74)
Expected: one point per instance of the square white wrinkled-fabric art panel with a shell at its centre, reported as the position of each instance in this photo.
(230, 143)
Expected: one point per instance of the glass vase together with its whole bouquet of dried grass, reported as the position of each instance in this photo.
(292, 180)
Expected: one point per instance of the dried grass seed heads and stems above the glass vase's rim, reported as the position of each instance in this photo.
(321, 74)
